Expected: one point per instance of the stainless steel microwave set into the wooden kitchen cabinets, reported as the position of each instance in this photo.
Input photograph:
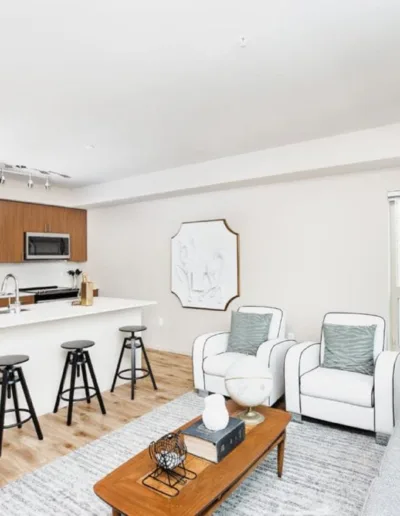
(47, 246)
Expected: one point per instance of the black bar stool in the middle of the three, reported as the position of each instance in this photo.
(78, 359)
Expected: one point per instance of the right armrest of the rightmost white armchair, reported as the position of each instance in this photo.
(386, 384)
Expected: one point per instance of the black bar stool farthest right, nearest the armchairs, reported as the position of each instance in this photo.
(133, 343)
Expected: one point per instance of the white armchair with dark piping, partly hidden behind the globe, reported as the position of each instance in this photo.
(211, 359)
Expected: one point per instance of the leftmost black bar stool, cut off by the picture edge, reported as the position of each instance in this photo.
(11, 376)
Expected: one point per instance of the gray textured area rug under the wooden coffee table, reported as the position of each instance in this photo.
(327, 471)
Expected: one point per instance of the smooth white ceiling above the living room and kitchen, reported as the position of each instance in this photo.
(157, 84)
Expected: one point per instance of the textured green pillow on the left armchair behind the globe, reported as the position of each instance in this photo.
(248, 331)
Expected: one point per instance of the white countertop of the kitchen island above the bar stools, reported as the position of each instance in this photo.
(56, 310)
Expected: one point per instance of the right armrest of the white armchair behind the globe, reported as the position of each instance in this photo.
(273, 353)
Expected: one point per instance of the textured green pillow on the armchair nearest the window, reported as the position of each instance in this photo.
(349, 348)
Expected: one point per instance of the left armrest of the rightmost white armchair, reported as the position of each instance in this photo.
(300, 359)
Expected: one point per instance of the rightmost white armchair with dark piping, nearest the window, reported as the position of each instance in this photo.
(344, 397)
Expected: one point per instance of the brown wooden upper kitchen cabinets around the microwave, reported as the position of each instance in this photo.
(17, 218)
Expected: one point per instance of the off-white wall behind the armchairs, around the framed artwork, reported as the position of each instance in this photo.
(308, 246)
